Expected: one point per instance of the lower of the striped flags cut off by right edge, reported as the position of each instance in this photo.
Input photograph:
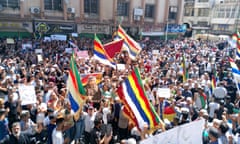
(235, 72)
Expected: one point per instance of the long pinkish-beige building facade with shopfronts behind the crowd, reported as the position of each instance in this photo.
(88, 16)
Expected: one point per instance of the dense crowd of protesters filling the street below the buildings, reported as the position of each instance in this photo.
(52, 121)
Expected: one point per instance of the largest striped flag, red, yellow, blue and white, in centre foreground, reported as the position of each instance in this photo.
(132, 94)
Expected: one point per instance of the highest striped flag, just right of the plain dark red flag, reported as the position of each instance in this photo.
(130, 45)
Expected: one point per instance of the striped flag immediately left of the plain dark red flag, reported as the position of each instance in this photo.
(100, 54)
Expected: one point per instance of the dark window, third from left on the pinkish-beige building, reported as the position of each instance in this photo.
(91, 6)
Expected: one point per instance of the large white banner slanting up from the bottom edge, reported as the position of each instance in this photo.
(190, 133)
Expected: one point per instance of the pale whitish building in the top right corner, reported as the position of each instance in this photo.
(212, 16)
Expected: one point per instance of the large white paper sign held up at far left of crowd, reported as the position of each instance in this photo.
(27, 94)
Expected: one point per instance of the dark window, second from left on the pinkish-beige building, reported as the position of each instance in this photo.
(53, 4)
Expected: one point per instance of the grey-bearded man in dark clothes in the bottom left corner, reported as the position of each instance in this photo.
(16, 137)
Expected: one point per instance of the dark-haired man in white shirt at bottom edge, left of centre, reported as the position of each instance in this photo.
(57, 135)
